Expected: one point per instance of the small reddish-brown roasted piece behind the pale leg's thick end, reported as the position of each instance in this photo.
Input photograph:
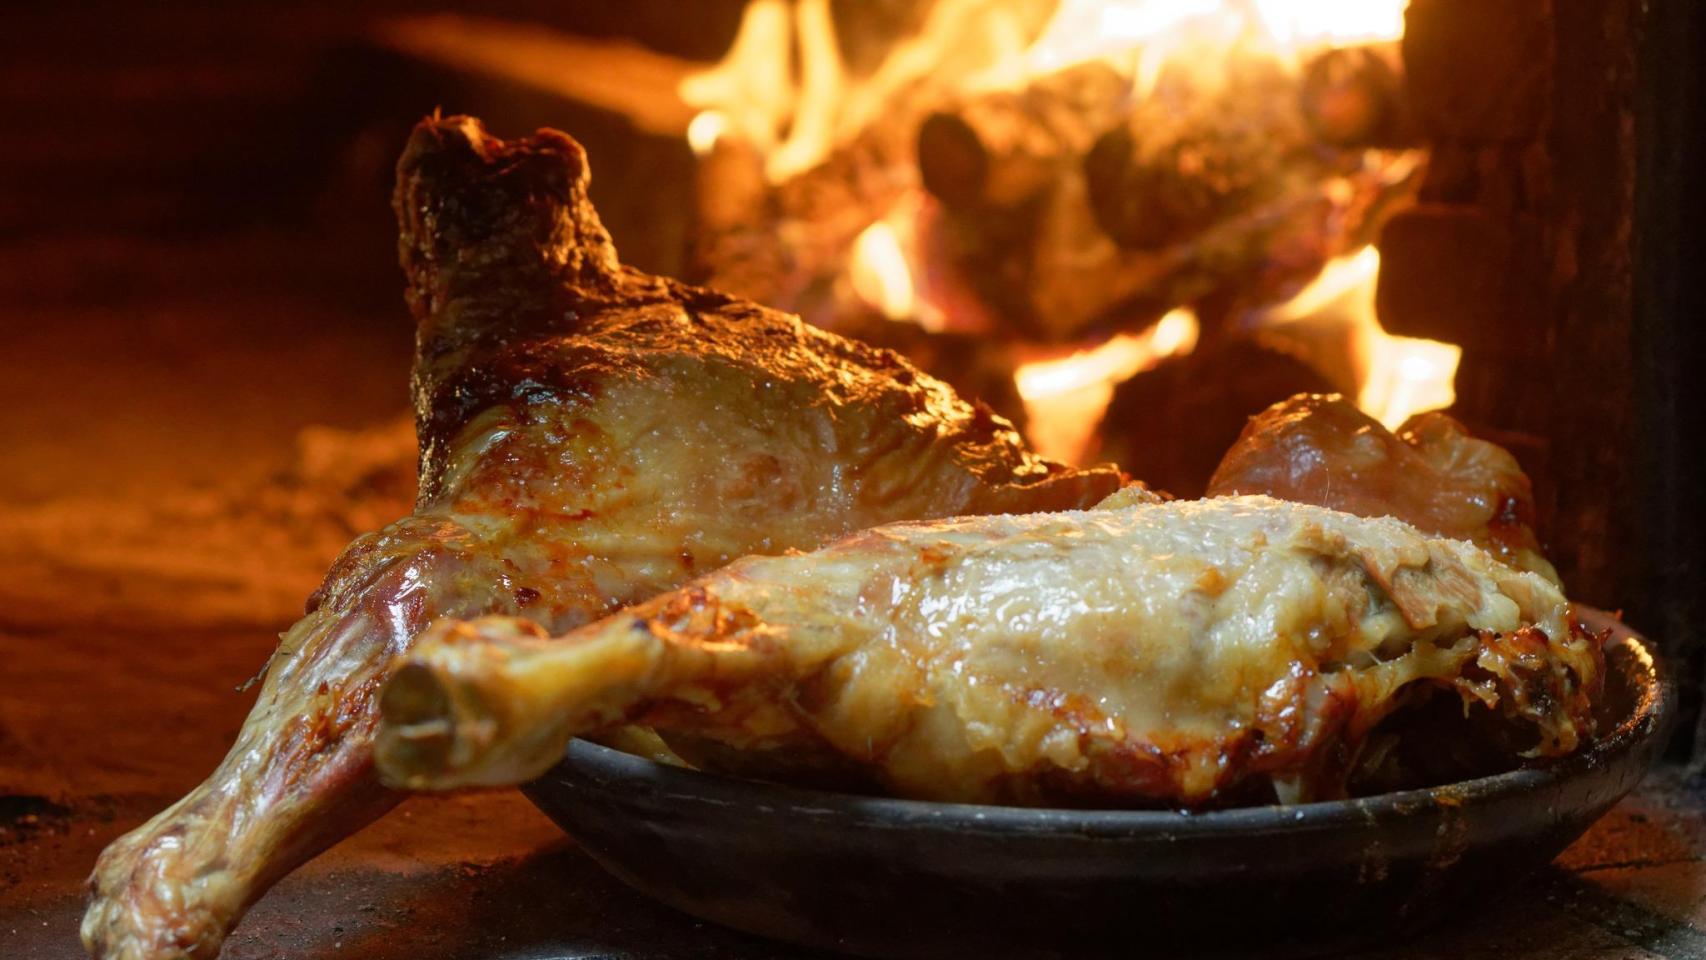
(1432, 473)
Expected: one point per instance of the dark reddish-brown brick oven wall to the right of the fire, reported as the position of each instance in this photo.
(1521, 252)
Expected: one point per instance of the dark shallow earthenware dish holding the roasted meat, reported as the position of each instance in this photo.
(912, 879)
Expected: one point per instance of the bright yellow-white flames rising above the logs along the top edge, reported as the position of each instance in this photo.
(786, 90)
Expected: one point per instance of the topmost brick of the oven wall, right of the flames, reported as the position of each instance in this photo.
(1480, 69)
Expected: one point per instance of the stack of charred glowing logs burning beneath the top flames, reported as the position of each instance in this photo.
(1060, 207)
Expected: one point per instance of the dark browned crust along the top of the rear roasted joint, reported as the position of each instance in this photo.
(492, 224)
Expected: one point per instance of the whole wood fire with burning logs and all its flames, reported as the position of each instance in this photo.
(1077, 183)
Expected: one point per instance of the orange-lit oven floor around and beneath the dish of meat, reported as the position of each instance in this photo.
(160, 526)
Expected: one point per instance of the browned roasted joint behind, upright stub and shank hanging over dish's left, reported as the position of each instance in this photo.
(591, 437)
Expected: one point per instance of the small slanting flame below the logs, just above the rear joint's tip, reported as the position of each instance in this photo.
(1065, 396)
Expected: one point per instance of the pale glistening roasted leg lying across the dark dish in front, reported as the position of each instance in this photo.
(1139, 654)
